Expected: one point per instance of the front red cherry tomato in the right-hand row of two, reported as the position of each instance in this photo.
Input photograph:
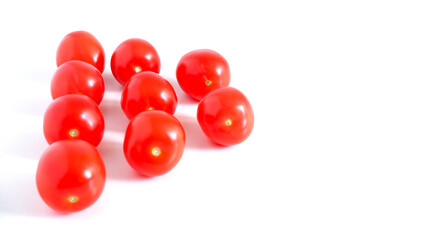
(226, 116)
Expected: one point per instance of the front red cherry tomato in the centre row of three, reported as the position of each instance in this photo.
(154, 142)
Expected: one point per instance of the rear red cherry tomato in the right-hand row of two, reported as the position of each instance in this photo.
(202, 71)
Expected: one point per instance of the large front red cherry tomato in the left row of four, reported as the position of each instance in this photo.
(70, 175)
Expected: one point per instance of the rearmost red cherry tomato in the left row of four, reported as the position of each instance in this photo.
(83, 46)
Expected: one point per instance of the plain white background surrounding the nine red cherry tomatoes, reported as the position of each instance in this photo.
(345, 142)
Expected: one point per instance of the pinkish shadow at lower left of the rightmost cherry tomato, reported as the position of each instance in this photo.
(195, 138)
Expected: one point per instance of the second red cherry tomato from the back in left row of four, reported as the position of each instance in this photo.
(78, 77)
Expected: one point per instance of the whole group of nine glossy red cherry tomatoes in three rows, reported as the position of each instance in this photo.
(71, 173)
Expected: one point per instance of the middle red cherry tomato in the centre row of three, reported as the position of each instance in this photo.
(148, 91)
